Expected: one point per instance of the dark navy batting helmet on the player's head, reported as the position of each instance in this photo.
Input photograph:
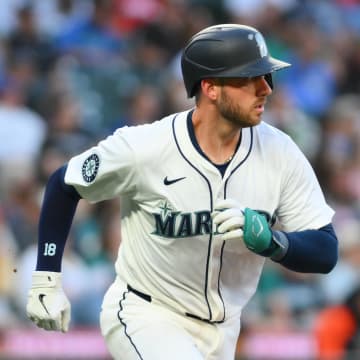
(226, 51)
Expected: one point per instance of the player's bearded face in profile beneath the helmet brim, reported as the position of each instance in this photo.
(241, 101)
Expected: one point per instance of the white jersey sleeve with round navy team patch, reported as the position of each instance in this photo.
(104, 171)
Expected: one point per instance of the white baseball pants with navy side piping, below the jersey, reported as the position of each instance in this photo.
(136, 329)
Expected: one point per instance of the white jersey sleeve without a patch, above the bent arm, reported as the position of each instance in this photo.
(302, 202)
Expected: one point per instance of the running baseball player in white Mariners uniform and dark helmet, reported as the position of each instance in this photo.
(200, 191)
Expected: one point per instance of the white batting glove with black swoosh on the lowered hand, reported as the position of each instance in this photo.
(48, 306)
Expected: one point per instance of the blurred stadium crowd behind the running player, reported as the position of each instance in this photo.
(72, 71)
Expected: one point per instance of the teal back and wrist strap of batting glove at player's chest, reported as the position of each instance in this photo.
(259, 238)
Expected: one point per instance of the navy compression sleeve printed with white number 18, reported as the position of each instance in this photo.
(56, 216)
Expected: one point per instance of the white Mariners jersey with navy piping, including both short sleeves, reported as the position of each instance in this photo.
(169, 248)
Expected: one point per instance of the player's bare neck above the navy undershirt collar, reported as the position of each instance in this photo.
(216, 138)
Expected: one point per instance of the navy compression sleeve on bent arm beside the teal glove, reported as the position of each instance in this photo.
(311, 251)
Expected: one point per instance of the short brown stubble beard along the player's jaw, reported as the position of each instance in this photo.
(232, 112)
